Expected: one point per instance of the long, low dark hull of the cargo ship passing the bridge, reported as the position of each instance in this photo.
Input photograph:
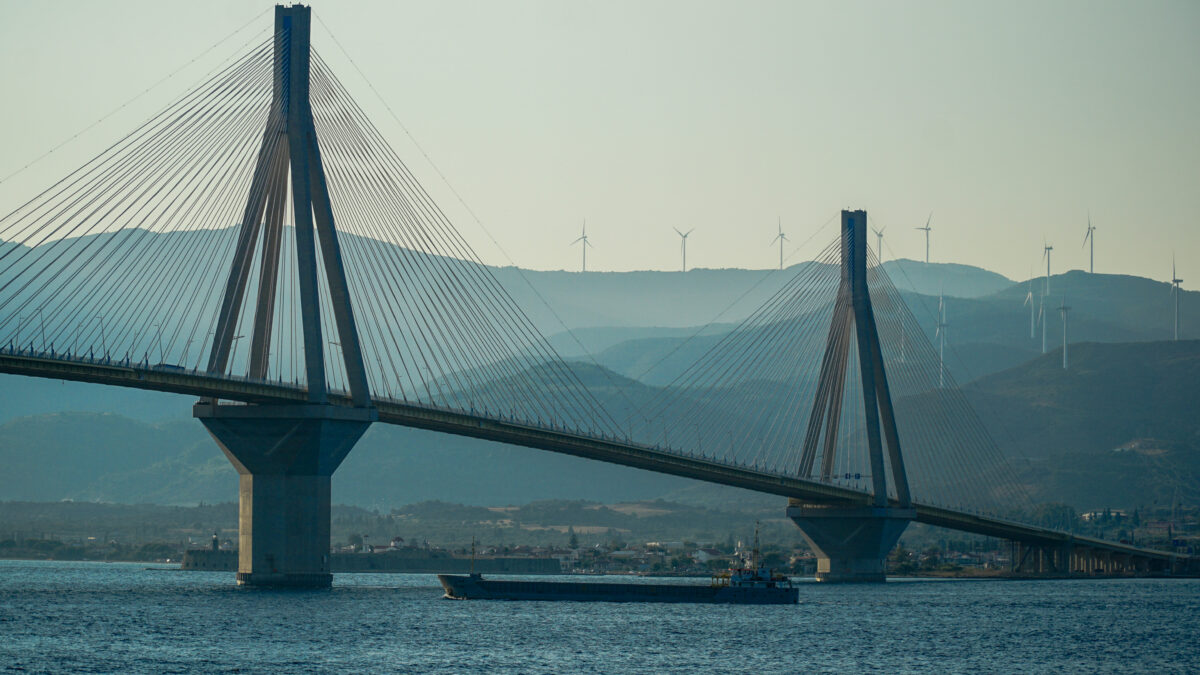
(476, 588)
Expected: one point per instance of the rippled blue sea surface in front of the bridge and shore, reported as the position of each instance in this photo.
(99, 618)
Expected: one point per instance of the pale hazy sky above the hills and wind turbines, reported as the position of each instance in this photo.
(1007, 121)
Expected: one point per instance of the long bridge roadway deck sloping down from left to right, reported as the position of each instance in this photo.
(597, 447)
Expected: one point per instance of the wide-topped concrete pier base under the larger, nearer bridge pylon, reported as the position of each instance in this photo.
(285, 456)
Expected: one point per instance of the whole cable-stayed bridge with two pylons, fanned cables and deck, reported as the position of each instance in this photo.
(257, 244)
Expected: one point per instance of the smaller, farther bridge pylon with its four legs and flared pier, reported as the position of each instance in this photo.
(853, 541)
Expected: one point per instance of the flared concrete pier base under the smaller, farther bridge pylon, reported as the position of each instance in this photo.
(853, 543)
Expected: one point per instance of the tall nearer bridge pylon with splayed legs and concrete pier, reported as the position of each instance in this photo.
(286, 455)
